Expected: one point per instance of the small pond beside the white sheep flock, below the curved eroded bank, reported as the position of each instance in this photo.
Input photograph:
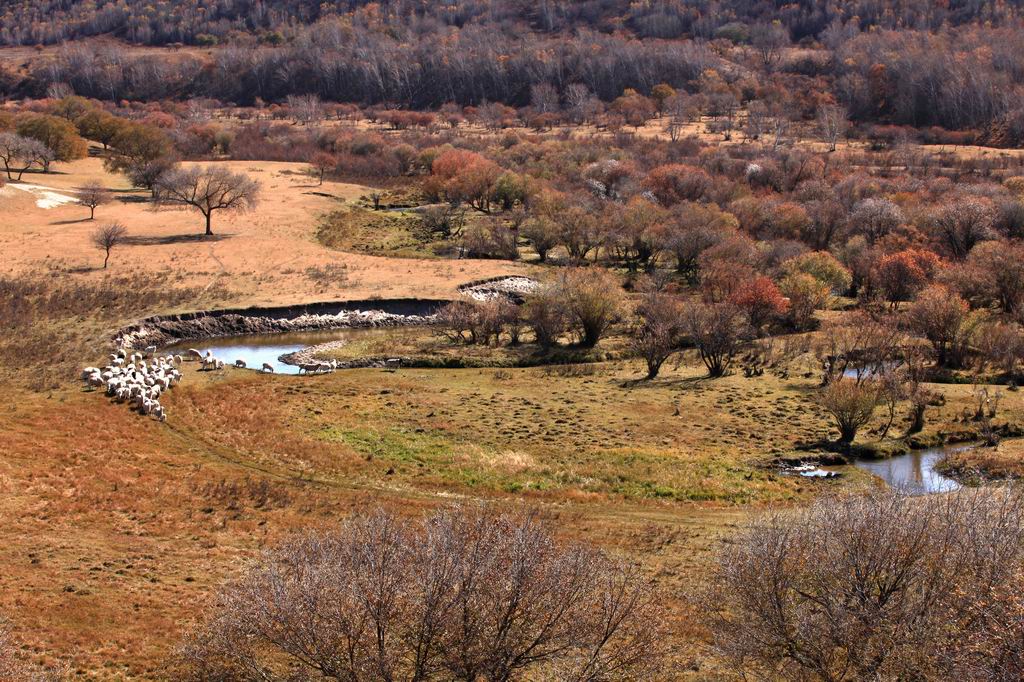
(254, 350)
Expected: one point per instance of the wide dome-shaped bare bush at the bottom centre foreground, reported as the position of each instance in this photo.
(466, 594)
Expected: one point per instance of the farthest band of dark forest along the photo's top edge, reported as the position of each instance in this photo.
(195, 22)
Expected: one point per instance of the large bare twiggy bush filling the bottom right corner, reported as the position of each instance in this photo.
(878, 587)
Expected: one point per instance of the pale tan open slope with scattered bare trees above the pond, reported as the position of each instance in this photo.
(267, 258)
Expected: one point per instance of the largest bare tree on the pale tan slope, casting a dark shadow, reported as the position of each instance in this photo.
(208, 190)
